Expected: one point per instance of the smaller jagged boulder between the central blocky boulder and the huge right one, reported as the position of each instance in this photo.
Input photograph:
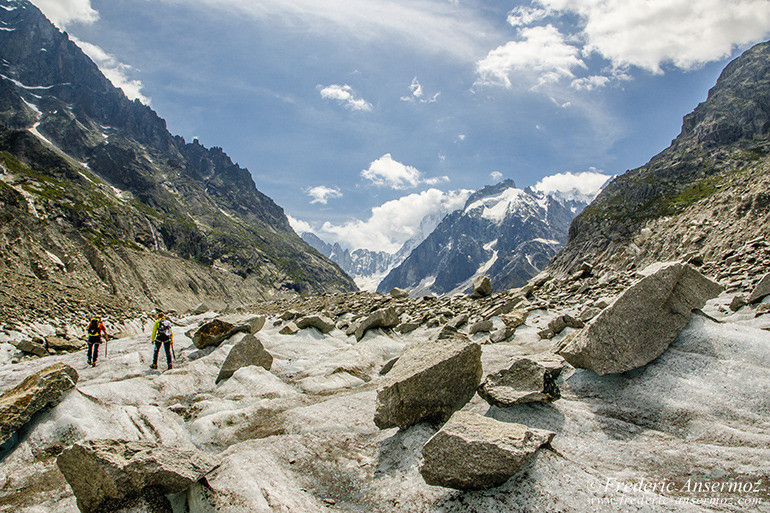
(527, 380)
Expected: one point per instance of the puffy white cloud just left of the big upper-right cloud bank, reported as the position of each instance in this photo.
(542, 56)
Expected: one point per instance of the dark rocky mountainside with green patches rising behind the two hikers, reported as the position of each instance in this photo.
(105, 210)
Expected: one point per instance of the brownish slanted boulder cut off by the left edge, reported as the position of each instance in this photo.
(47, 387)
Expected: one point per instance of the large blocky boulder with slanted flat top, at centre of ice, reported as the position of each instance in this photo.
(430, 381)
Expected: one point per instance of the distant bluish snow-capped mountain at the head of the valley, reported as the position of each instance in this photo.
(506, 233)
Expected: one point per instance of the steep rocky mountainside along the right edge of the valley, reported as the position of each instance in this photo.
(709, 188)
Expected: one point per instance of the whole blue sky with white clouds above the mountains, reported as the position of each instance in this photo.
(360, 117)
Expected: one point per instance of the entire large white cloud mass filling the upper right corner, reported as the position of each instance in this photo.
(645, 34)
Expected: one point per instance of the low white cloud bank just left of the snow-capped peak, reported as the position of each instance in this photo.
(393, 223)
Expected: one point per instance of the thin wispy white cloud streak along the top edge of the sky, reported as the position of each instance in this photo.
(434, 26)
